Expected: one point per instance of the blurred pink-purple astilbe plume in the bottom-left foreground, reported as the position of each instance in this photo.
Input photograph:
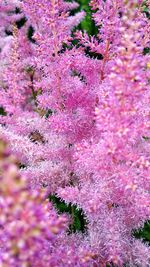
(31, 232)
